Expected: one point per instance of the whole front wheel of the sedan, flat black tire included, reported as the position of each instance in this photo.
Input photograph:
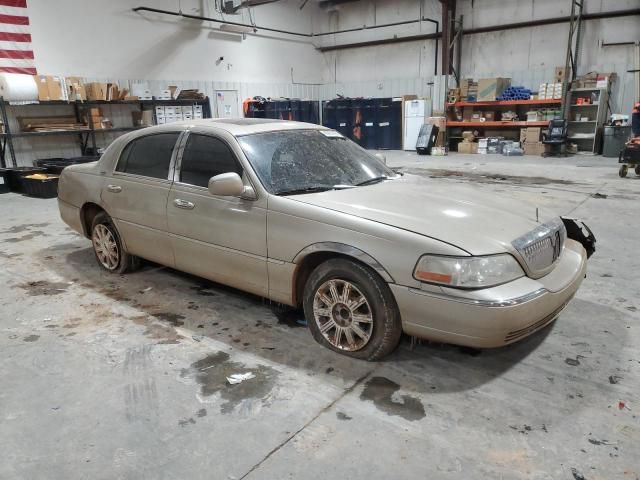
(351, 310)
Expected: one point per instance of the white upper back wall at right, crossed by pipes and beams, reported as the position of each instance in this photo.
(528, 55)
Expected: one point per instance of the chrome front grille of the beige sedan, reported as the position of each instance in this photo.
(542, 247)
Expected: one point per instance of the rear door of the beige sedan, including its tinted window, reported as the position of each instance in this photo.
(136, 195)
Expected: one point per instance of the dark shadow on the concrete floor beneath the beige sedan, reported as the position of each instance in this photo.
(166, 299)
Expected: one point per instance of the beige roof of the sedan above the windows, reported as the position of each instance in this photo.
(241, 126)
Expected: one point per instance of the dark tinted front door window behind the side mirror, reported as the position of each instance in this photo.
(205, 157)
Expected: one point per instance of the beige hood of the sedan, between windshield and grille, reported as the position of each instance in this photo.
(478, 222)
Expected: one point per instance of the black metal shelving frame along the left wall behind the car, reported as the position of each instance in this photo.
(86, 136)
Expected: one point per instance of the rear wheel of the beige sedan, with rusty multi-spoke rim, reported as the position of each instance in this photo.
(107, 246)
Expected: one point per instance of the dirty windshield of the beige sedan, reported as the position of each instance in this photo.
(299, 161)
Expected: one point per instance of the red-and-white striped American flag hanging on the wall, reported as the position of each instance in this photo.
(16, 54)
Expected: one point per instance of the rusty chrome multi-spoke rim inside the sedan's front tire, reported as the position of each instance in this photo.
(343, 315)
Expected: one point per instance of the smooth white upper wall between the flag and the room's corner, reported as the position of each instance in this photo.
(107, 39)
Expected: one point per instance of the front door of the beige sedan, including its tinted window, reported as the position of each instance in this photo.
(220, 238)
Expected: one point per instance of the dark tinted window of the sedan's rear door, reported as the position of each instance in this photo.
(148, 156)
